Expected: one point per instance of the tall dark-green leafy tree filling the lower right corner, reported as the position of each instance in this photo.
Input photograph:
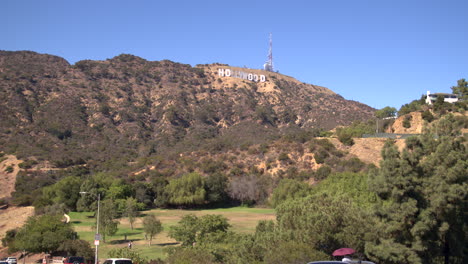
(425, 191)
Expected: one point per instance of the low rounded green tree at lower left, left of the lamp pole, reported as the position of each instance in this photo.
(43, 234)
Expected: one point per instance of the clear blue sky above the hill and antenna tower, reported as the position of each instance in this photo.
(379, 52)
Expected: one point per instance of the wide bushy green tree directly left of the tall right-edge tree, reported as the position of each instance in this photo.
(323, 222)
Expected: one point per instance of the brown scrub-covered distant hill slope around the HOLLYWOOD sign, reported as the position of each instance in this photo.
(127, 107)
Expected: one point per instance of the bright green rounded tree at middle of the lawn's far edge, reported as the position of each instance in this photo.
(187, 190)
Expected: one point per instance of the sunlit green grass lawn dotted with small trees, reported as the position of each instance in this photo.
(242, 219)
